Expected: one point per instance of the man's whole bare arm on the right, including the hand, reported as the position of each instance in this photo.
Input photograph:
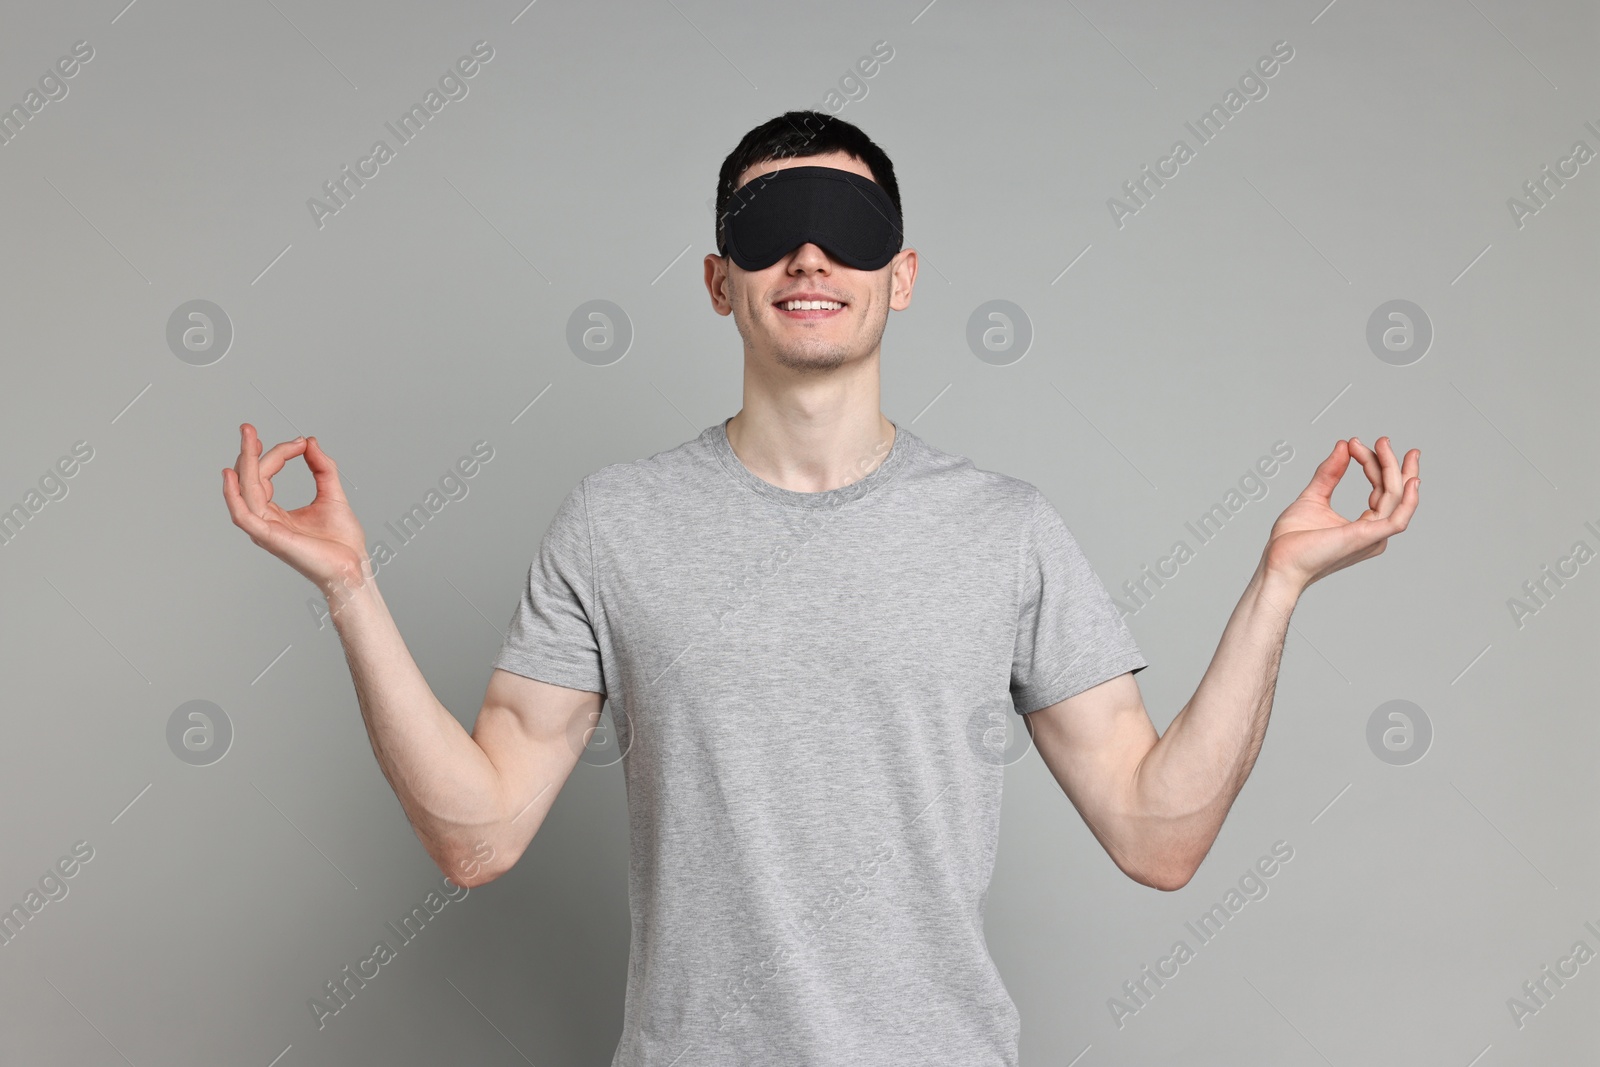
(1158, 804)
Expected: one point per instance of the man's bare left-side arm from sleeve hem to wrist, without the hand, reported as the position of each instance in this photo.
(474, 801)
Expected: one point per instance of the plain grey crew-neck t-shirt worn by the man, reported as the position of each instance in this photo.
(812, 689)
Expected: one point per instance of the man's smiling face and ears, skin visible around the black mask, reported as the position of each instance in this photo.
(810, 340)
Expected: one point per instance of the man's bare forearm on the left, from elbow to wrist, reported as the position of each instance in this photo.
(447, 785)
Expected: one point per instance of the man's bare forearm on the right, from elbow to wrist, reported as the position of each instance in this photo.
(1188, 781)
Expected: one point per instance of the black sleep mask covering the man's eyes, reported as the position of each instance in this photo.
(850, 217)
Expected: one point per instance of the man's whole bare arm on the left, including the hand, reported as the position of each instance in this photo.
(474, 801)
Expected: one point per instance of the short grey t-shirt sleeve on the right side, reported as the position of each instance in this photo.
(1070, 634)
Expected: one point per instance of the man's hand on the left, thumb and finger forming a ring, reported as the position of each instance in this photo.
(324, 540)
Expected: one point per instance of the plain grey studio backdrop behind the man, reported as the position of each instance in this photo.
(1228, 314)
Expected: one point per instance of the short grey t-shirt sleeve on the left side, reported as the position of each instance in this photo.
(553, 634)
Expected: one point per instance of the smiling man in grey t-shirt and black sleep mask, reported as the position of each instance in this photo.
(809, 620)
